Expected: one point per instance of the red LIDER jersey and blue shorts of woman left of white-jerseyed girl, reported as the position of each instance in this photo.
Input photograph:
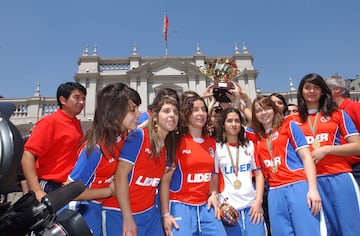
(190, 186)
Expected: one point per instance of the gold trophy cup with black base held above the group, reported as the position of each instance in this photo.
(221, 71)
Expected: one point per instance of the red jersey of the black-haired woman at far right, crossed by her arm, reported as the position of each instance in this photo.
(328, 131)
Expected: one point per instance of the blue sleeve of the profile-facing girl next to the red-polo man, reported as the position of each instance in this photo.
(86, 165)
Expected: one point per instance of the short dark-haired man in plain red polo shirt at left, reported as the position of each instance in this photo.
(50, 152)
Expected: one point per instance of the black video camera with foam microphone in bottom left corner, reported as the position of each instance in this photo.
(28, 215)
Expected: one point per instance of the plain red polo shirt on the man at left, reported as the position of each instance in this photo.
(54, 141)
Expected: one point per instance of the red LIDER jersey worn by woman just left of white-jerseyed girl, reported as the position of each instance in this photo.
(194, 166)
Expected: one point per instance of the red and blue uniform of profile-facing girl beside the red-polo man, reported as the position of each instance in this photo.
(96, 170)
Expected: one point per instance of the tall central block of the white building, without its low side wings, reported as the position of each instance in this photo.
(147, 75)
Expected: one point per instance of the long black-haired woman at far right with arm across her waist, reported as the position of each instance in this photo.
(323, 124)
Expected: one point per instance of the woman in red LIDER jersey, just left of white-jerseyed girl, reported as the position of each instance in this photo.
(193, 206)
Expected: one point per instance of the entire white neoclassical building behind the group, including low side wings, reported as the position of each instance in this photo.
(147, 75)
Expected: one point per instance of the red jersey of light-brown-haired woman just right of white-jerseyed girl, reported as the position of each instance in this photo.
(276, 153)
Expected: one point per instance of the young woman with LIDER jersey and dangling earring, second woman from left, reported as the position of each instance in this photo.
(142, 163)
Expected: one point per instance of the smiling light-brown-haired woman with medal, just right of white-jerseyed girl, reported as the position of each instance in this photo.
(283, 153)
